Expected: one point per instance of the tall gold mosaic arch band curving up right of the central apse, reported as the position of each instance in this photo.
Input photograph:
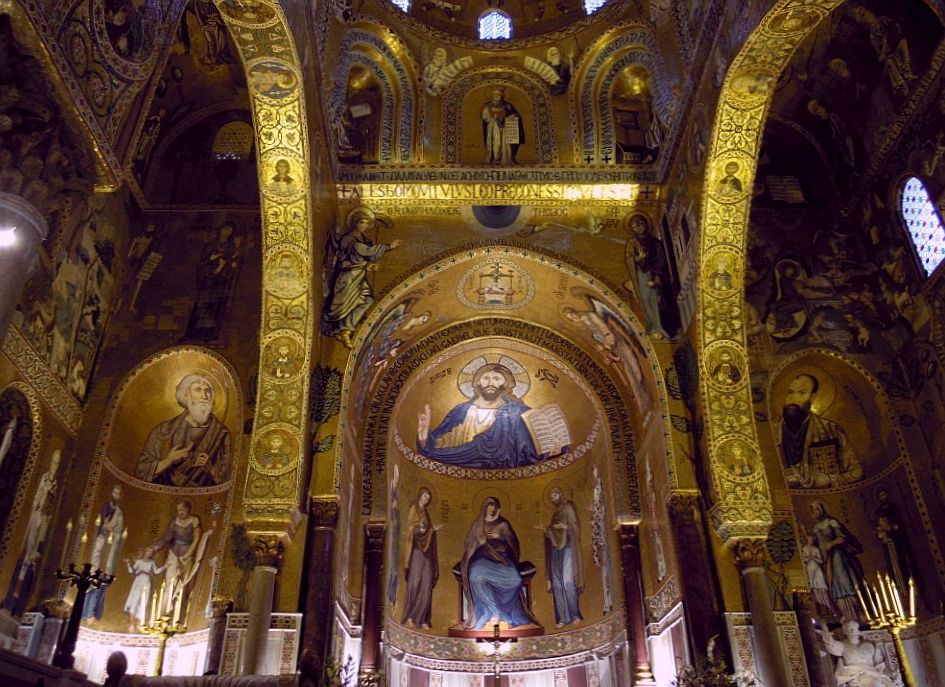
(743, 508)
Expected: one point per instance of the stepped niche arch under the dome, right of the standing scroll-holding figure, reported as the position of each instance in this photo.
(620, 48)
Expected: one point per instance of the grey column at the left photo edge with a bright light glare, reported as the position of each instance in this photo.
(22, 229)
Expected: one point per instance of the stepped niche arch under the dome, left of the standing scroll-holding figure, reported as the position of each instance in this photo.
(369, 46)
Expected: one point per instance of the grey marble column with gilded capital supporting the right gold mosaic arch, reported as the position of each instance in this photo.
(769, 659)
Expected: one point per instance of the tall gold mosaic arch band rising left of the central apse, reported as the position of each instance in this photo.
(279, 121)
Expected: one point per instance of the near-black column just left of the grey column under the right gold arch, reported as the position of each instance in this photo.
(700, 609)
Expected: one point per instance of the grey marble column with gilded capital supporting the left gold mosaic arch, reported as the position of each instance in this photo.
(268, 552)
